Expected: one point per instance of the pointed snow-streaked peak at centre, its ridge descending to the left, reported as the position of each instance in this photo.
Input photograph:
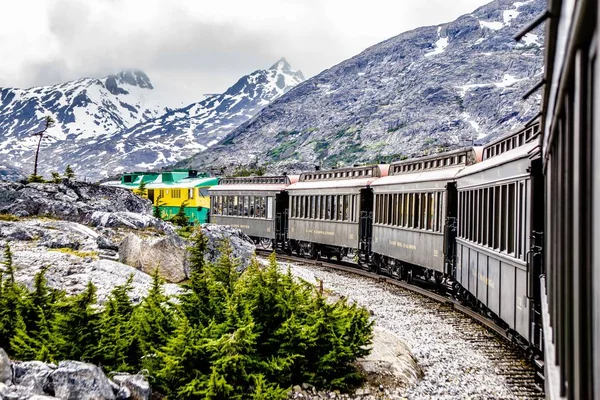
(183, 132)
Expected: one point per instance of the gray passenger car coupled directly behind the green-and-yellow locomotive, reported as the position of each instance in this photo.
(256, 205)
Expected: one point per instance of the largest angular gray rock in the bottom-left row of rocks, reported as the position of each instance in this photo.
(79, 380)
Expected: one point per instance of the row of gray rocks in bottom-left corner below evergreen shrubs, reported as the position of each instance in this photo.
(35, 380)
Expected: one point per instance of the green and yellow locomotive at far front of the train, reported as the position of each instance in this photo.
(169, 190)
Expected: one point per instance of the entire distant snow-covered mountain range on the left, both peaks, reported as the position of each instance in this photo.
(112, 125)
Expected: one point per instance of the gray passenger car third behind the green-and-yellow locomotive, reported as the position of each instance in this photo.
(413, 206)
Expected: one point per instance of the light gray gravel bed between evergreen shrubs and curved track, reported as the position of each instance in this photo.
(458, 358)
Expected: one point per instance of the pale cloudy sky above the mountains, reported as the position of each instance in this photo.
(190, 48)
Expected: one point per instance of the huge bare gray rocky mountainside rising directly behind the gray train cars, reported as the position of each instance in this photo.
(431, 88)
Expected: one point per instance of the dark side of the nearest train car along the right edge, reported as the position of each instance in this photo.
(571, 167)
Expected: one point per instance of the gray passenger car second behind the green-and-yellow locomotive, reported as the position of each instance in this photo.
(330, 211)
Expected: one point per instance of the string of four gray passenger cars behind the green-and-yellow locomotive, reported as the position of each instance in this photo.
(462, 219)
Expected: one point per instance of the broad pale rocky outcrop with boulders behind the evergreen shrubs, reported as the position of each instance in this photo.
(82, 232)
